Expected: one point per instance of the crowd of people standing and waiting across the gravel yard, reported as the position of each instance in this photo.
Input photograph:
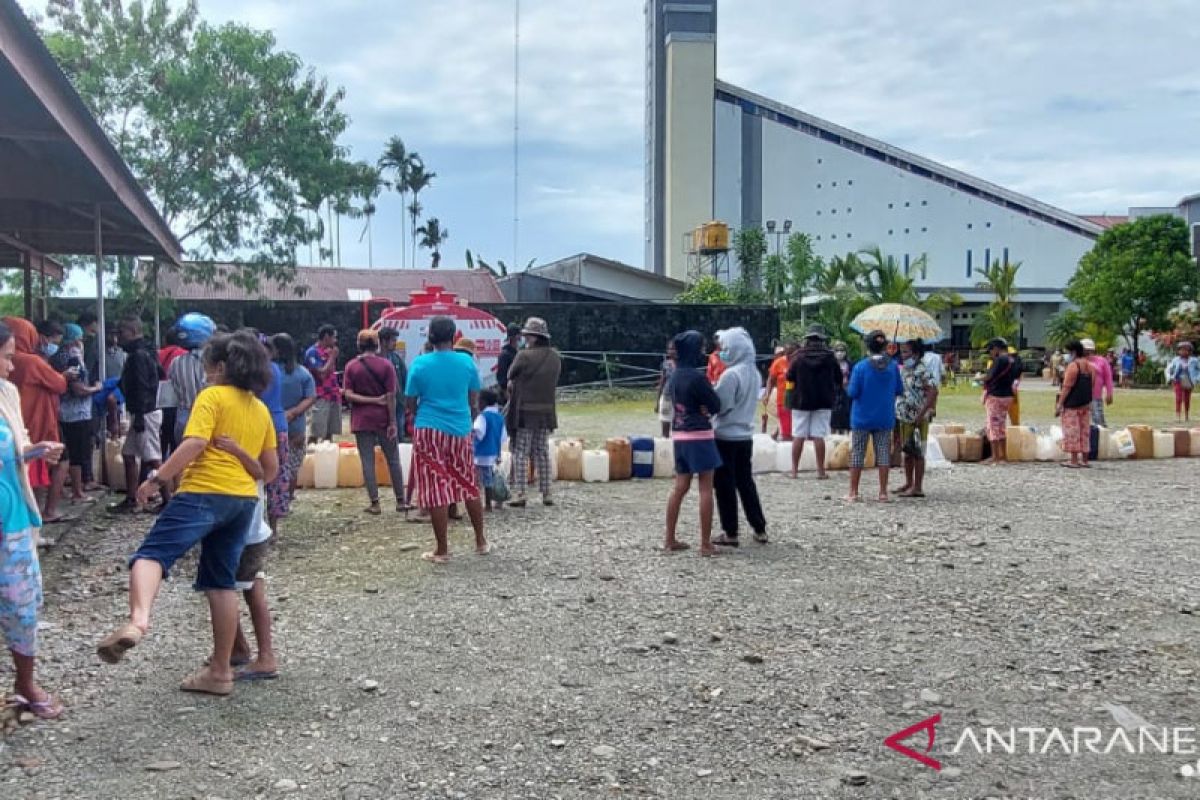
(219, 425)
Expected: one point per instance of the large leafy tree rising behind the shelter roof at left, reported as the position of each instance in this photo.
(220, 125)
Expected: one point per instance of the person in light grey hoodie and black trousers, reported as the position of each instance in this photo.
(739, 389)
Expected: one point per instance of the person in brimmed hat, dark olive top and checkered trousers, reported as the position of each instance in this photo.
(531, 416)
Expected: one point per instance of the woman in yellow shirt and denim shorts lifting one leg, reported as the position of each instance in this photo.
(227, 432)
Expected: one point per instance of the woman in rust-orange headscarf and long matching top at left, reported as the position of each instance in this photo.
(41, 389)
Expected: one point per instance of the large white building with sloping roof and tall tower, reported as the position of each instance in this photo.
(764, 161)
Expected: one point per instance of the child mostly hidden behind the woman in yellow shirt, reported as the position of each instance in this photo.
(250, 578)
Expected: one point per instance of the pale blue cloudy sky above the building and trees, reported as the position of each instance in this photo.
(1089, 105)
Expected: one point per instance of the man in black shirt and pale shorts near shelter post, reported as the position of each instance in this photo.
(142, 452)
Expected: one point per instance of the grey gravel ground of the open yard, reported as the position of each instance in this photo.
(579, 663)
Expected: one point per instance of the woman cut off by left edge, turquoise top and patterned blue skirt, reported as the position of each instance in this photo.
(21, 578)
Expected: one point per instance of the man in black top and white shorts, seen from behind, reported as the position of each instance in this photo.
(815, 377)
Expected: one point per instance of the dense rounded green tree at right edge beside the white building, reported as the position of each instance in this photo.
(1133, 278)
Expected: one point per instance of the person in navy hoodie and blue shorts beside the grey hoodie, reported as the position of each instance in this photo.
(695, 444)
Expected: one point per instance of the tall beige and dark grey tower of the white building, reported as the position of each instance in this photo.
(681, 76)
